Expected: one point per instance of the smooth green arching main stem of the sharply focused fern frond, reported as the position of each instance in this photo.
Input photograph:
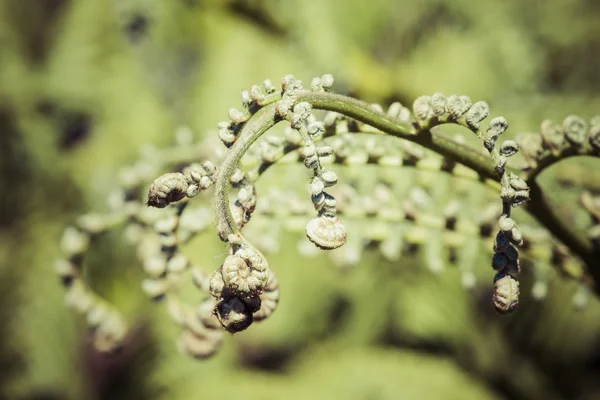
(266, 118)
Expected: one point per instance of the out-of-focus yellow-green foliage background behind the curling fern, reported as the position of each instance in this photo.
(84, 84)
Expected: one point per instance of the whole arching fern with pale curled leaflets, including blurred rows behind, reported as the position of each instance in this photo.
(244, 288)
